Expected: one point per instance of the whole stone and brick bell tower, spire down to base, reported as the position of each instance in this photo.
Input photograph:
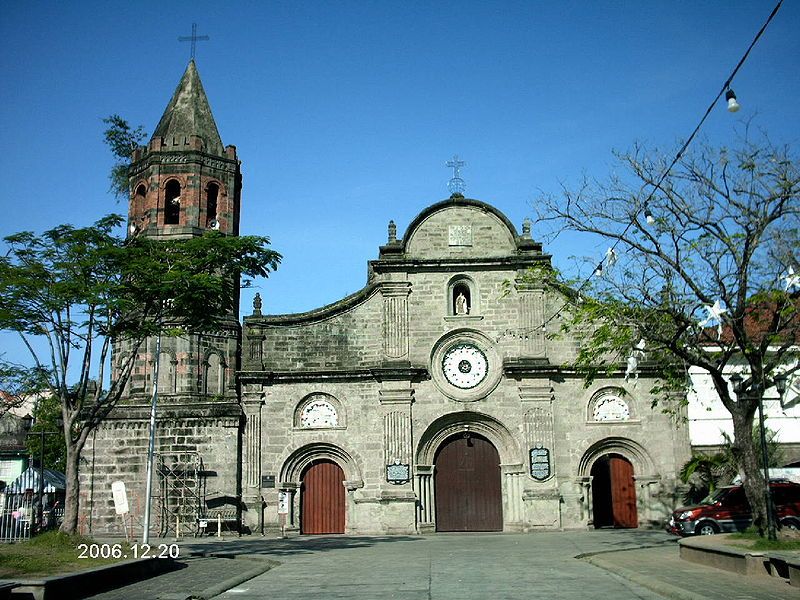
(183, 183)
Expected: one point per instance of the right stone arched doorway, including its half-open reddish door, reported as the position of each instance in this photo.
(610, 469)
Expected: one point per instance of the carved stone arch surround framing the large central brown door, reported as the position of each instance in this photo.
(456, 424)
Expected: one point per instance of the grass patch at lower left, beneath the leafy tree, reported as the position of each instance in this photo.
(50, 553)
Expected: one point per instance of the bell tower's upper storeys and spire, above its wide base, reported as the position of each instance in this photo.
(184, 183)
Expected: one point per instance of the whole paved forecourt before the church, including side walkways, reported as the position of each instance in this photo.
(613, 564)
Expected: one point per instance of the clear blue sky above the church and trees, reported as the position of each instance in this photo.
(344, 113)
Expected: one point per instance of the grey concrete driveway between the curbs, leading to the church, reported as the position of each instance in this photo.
(457, 566)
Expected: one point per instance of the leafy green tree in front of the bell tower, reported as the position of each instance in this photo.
(71, 293)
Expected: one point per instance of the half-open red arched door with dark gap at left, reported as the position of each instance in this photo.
(614, 493)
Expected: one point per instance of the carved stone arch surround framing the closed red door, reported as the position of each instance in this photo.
(297, 466)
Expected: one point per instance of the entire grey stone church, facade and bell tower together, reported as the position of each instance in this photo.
(431, 400)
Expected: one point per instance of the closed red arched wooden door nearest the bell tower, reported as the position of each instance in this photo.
(322, 498)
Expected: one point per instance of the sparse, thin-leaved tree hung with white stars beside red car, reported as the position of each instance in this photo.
(720, 230)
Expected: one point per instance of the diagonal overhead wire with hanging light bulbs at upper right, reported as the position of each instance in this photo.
(610, 257)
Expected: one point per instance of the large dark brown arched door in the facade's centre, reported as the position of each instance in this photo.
(467, 486)
